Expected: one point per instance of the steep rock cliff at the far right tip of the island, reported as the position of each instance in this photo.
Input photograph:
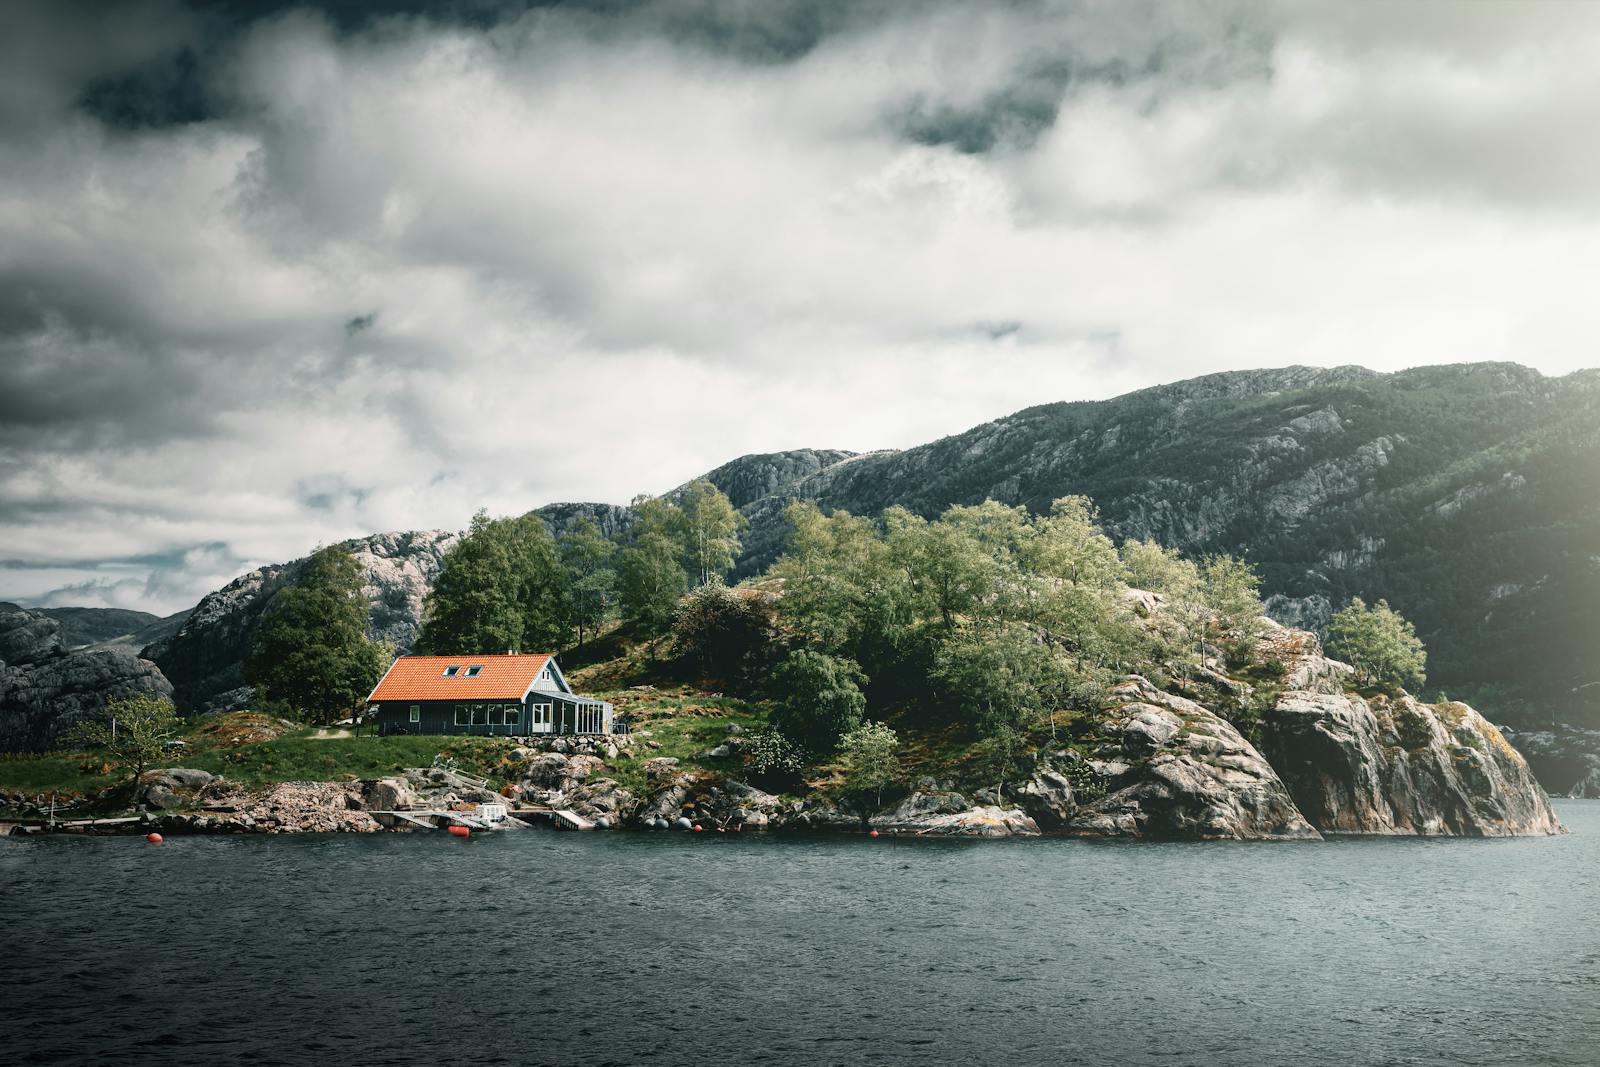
(1394, 765)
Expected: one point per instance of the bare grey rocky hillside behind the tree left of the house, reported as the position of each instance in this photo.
(206, 658)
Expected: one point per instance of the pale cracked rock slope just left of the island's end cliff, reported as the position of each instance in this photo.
(1170, 769)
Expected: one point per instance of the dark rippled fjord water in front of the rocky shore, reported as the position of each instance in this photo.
(740, 949)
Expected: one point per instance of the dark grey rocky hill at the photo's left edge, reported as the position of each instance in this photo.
(47, 689)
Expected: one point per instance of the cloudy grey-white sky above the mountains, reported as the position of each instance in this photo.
(276, 274)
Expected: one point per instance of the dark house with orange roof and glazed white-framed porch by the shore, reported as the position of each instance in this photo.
(513, 695)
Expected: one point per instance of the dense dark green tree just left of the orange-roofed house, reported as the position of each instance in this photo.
(311, 649)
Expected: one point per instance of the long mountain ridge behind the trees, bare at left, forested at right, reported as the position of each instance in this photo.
(1466, 495)
